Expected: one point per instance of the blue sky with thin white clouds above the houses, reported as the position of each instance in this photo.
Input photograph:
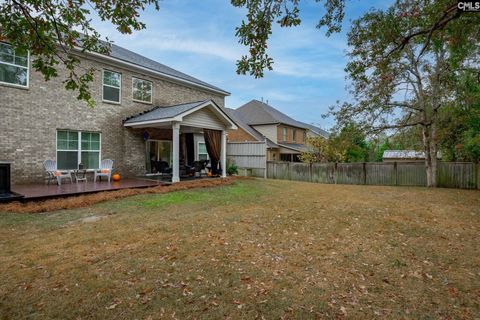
(198, 38)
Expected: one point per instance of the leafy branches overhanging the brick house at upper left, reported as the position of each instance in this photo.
(56, 31)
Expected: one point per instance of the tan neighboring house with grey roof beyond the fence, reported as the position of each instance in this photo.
(285, 137)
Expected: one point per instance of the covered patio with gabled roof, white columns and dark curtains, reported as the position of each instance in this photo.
(180, 137)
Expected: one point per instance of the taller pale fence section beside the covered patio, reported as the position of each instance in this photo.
(250, 157)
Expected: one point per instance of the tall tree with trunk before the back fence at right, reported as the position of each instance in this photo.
(398, 85)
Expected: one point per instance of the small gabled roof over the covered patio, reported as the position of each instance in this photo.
(174, 113)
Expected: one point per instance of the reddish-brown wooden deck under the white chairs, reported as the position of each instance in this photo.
(43, 191)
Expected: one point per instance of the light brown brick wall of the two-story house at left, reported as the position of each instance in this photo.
(30, 117)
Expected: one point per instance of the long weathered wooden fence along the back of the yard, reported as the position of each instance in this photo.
(464, 175)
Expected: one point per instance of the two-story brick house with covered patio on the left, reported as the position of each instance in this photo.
(145, 112)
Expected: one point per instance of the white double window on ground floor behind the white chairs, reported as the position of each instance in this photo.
(75, 147)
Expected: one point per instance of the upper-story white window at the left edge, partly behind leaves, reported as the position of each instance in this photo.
(13, 66)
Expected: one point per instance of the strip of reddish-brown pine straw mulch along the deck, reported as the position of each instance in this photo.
(89, 199)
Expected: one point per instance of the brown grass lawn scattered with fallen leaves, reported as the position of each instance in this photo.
(254, 249)
